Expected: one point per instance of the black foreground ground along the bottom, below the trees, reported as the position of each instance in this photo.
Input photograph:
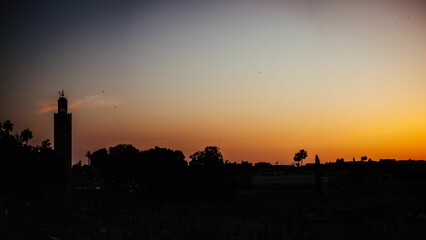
(250, 214)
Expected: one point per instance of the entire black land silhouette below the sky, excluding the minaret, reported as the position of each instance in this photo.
(127, 193)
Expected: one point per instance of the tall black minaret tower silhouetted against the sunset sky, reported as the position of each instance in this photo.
(63, 134)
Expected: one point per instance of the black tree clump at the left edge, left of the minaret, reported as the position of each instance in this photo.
(27, 173)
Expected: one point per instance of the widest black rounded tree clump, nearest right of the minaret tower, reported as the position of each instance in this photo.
(157, 171)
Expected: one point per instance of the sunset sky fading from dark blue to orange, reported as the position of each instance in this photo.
(259, 79)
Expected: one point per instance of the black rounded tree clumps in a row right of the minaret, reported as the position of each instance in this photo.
(162, 172)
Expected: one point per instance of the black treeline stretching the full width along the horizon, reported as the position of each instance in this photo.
(32, 171)
